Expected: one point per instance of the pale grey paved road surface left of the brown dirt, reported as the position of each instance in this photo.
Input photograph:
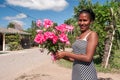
(14, 63)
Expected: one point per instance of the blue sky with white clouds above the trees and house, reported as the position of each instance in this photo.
(24, 12)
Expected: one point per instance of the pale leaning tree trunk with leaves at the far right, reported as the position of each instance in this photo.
(113, 29)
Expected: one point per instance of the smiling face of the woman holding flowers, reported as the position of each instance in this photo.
(84, 21)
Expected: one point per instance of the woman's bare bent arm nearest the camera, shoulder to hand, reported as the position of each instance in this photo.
(91, 47)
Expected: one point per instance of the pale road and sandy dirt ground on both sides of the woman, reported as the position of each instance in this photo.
(30, 64)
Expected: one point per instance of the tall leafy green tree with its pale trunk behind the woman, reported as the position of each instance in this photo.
(106, 25)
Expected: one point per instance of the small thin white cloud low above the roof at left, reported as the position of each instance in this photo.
(17, 17)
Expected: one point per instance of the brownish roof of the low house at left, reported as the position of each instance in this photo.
(12, 31)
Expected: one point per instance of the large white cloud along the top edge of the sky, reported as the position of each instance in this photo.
(55, 5)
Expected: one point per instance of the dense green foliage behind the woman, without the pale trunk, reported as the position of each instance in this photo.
(103, 19)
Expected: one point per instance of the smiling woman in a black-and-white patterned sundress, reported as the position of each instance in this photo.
(83, 48)
